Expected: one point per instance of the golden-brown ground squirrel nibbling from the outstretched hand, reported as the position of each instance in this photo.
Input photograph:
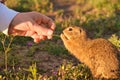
(99, 55)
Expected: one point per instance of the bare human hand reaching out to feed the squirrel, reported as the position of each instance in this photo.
(33, 24)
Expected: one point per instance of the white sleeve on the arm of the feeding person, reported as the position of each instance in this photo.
(6, 16)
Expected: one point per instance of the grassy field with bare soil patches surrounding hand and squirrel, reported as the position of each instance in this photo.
(22, 59)
